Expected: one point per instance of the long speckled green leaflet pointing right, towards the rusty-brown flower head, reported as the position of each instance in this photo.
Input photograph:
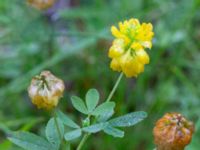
(128, 119)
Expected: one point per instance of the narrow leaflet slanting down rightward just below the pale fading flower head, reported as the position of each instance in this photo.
(66, 120)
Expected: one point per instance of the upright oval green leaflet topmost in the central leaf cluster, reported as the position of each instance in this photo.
(92, 99)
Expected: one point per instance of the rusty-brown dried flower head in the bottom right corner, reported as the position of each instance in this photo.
(172, 132)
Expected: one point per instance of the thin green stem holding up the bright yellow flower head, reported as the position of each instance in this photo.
(86, 136)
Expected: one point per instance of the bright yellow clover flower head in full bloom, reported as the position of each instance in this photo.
(128, 49)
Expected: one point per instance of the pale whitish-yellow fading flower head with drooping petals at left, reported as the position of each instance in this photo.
(45, 90)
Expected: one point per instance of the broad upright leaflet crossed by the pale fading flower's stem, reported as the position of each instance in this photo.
(52, 134)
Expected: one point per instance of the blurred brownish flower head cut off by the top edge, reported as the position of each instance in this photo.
(41, 4)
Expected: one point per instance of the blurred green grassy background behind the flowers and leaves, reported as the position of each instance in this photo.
(72, 40)
